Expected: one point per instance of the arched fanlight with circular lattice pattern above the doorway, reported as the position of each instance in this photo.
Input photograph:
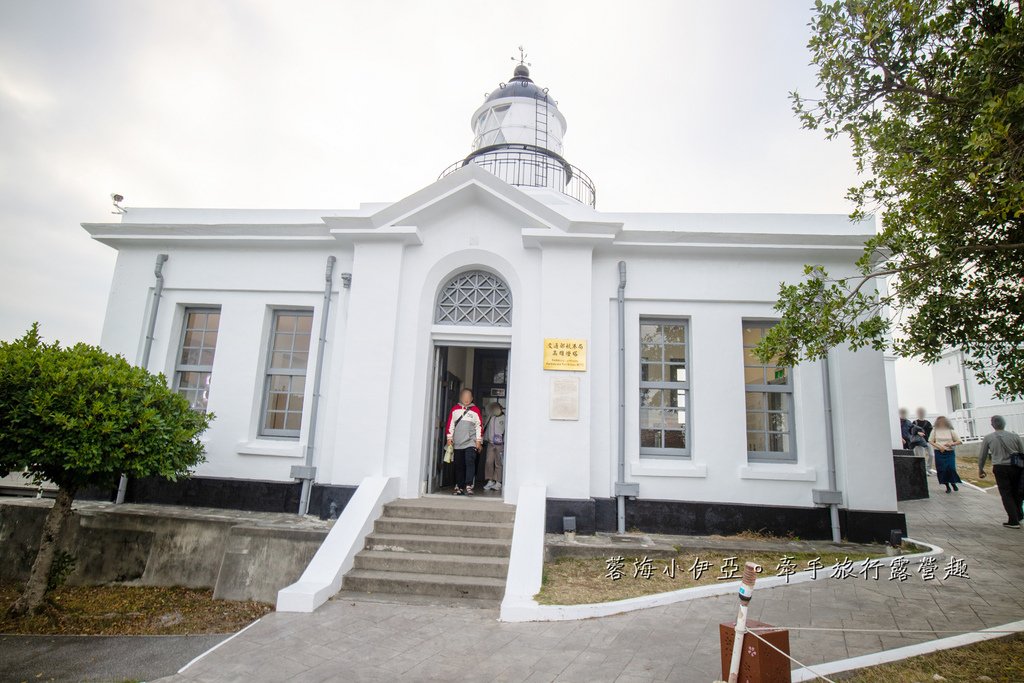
(476, 298)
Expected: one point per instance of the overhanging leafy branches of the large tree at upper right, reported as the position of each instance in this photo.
(931, 95)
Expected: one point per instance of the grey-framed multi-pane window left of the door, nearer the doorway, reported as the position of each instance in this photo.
(286, 373)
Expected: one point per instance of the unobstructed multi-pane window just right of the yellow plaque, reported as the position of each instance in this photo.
(665, 389)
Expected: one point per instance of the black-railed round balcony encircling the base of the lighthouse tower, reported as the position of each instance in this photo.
(530, 166)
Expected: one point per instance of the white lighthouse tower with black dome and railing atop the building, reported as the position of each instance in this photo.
(518, 136)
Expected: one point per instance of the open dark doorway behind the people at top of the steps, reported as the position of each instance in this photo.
(486, 372)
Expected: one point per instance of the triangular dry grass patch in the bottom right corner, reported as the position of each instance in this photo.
(1001, 661)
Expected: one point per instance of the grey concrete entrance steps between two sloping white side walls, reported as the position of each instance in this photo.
(449, 548)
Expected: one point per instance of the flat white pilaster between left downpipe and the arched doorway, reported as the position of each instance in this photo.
(368, 361)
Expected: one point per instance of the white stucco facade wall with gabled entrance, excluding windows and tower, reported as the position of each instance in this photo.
(563, 275)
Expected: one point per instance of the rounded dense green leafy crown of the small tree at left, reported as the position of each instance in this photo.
(80, 417)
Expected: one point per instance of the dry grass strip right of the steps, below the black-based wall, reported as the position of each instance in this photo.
(573, 581)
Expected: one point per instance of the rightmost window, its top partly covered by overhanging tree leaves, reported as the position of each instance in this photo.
(770, 402)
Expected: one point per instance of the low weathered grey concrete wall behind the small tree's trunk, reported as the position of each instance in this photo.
(151, 546)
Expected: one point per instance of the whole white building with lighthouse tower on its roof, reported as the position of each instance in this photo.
(331, 345)
